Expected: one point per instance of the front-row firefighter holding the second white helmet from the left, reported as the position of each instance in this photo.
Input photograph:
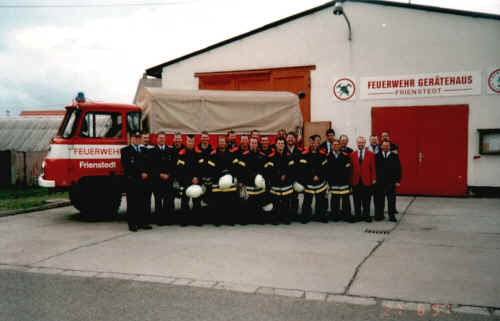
(223, 200)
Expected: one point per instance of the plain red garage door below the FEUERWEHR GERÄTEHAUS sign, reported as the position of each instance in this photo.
(433, 146)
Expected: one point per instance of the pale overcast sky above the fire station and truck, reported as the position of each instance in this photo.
(50, 49)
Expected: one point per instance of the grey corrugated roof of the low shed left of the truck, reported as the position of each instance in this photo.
(27, 134)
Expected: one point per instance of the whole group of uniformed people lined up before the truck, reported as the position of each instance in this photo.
(256, 181)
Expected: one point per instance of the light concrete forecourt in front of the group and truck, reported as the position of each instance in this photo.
(443, 251)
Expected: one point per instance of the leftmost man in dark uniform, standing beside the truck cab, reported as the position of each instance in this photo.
(136, 176)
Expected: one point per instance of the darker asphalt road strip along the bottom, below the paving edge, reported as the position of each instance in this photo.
(44, 297)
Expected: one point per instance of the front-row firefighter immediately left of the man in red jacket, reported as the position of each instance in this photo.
(338, 172)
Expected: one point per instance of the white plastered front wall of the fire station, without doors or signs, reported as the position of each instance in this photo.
(410, 42)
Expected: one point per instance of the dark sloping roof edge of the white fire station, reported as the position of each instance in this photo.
(156, 71)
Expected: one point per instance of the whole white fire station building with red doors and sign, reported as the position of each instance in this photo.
(425, 74)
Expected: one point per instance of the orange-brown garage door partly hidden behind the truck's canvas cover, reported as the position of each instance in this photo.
(293, 79)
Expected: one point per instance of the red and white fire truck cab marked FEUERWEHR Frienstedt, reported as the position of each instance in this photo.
(84, 157)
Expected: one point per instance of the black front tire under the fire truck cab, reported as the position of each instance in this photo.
(96, 198)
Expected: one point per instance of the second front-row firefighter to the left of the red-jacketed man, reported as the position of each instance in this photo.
(312, 175)
